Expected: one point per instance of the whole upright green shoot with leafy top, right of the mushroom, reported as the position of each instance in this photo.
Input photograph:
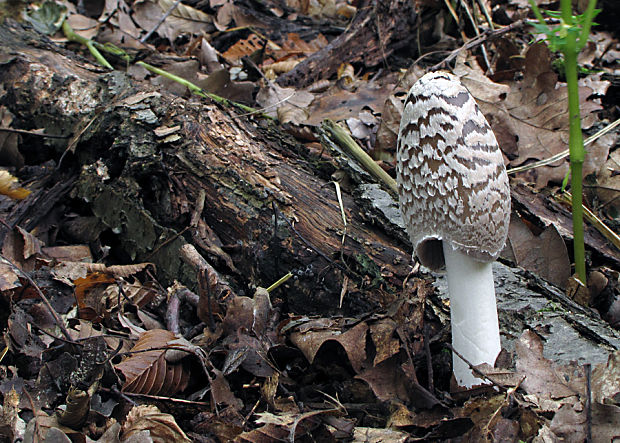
(569, 37)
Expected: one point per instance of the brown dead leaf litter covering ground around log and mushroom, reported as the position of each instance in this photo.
(268, 375)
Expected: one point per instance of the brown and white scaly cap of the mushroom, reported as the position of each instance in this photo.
(452, 182)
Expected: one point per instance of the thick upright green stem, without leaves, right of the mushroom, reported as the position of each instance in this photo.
(577, 152)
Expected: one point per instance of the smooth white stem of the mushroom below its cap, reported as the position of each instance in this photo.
(473, 312)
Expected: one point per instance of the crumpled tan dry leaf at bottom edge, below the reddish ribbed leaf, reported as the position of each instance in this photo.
(160, 427)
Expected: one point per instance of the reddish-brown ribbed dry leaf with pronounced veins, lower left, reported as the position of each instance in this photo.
(147, 371)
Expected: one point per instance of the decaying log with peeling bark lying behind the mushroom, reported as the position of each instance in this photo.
(160, 171)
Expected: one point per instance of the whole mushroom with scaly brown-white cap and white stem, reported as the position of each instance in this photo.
(455, 199)
